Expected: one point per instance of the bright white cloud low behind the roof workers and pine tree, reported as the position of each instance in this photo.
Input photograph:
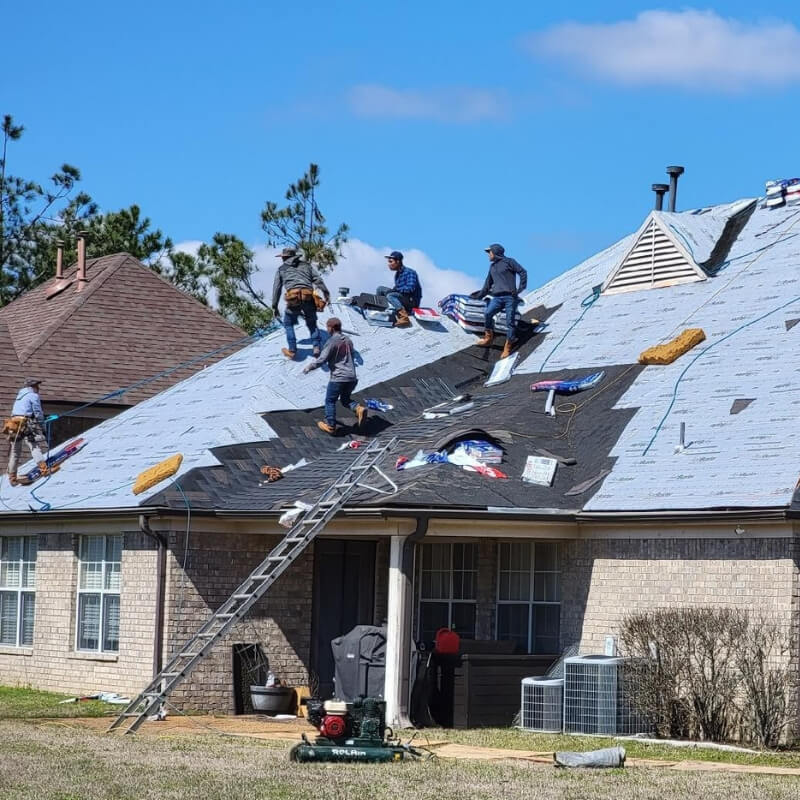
(363, 268)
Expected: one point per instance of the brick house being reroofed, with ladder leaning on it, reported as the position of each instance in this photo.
(639, 521)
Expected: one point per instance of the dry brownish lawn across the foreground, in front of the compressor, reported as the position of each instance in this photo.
(56, 761)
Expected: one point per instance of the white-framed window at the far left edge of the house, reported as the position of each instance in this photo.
(17, 589)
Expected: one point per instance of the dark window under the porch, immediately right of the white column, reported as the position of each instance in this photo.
(448, 589)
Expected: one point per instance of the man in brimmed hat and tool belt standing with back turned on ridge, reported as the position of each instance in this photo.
(298, 278)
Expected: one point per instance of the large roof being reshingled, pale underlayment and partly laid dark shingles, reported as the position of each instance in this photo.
(255, 408)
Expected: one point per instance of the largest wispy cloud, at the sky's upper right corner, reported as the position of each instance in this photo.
(690, 49)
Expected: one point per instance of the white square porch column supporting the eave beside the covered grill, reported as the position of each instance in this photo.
(397, 637)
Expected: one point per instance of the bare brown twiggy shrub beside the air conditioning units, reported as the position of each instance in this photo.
(708, 673)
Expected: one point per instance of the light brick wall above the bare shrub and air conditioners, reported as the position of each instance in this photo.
(603, 579)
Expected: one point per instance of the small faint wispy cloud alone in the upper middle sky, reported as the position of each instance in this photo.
(451, 104)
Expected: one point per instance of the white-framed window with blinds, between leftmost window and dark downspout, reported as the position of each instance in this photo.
(100, 559)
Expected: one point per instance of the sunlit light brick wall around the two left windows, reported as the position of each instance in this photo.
(52, 663)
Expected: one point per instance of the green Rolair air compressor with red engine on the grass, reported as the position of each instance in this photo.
(351, 732)
